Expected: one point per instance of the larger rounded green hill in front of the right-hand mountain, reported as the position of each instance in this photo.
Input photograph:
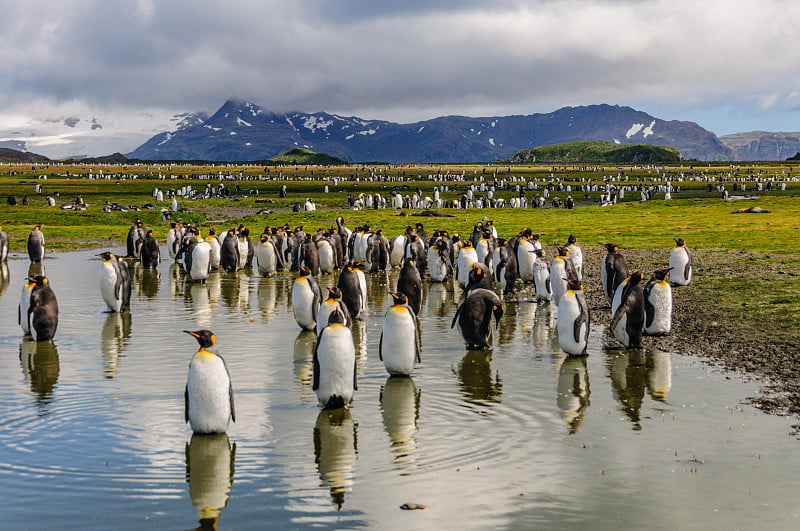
(596, 151)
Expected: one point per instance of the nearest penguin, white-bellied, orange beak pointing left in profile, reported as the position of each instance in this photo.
(208, 397)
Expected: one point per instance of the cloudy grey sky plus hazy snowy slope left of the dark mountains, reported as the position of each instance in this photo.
(96, 76)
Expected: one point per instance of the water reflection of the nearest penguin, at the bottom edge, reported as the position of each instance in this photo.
(209, 473)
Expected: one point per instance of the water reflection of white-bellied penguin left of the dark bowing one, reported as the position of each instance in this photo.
(400, 400)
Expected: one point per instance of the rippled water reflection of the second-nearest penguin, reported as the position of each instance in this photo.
(335, 436)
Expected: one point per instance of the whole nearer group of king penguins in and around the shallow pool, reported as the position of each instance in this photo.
(484, 266)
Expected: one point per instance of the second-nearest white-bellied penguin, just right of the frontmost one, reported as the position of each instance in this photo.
(334, 379)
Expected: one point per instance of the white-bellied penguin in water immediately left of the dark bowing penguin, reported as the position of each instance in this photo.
(399, 344)
